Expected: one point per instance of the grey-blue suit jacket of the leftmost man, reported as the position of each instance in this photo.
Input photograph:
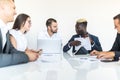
(9, 55)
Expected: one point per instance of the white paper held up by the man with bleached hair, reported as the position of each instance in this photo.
(85, 42)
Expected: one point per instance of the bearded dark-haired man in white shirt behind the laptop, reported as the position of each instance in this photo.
(51, 32)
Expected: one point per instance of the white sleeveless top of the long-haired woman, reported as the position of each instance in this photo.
(20, 39)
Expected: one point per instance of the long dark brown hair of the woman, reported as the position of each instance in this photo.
(20, 20)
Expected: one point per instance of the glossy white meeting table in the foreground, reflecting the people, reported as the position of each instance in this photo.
(70, 67)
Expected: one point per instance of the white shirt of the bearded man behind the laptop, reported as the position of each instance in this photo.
(45, 35)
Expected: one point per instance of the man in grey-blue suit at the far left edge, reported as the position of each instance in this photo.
(8, 54)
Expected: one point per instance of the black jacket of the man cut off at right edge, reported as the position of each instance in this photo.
(116, 47)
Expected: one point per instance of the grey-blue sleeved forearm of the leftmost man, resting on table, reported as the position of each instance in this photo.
(7, 59)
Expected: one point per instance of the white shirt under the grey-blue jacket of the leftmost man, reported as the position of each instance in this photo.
(4, 30)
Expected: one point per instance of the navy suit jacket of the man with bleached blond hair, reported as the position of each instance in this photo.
(97, 45)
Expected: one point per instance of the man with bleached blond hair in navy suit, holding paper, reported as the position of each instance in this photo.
(81, 30)
